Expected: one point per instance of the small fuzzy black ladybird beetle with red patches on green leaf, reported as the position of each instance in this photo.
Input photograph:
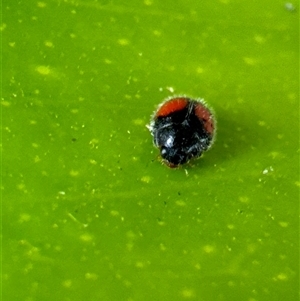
(182, 129)
